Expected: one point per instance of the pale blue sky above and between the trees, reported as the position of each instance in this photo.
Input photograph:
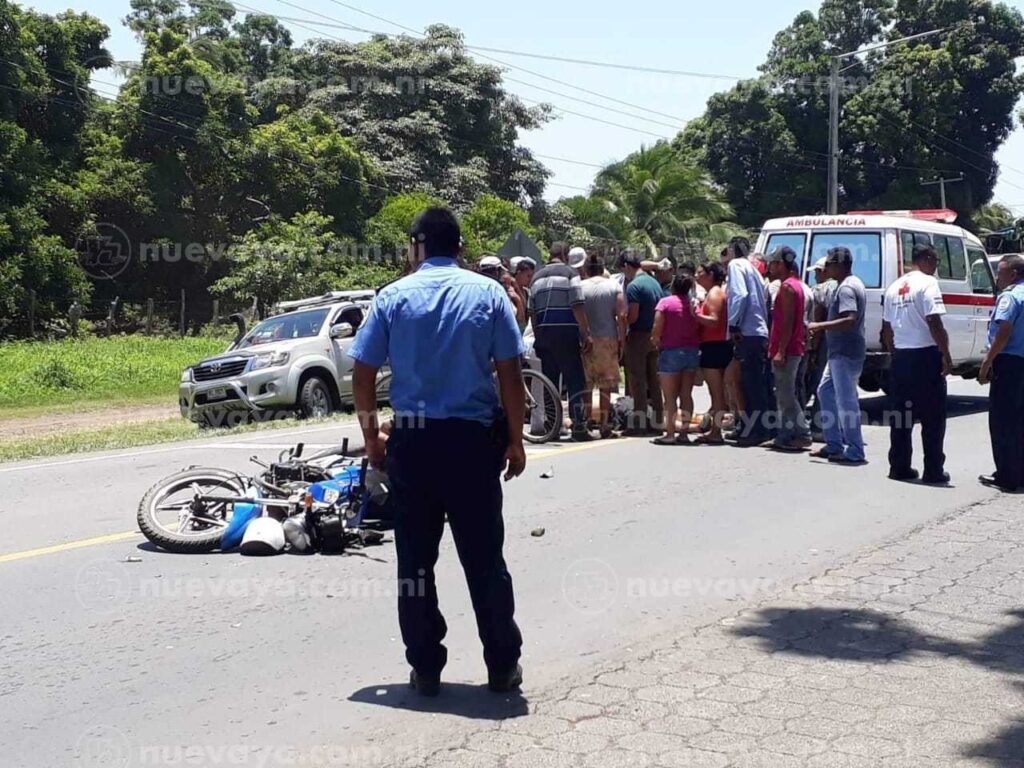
(728, 37)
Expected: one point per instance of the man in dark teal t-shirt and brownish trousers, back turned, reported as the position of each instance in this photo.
(643, 295)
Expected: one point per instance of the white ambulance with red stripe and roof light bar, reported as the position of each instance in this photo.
(882, 243)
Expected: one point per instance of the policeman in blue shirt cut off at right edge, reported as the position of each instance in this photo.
(1004, 367)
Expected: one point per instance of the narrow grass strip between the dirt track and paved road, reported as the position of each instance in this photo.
(135, 436)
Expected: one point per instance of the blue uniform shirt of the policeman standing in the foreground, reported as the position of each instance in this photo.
(441, 328)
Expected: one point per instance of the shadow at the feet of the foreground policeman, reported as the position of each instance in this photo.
(472, 702)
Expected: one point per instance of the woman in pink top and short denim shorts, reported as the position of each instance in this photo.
(677, 337)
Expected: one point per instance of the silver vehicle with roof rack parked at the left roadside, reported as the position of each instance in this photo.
(293, 362)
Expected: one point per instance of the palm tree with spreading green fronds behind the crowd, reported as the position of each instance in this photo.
(662, 199)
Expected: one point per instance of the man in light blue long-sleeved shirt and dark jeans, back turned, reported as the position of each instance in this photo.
(748, 306)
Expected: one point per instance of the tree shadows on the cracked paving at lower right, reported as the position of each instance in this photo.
(875, 637)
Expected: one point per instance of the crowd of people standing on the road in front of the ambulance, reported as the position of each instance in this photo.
(782, 360)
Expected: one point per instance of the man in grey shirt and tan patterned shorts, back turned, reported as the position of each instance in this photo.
(606, 308)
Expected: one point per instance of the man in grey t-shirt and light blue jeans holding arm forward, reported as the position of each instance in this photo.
(841, 420)
